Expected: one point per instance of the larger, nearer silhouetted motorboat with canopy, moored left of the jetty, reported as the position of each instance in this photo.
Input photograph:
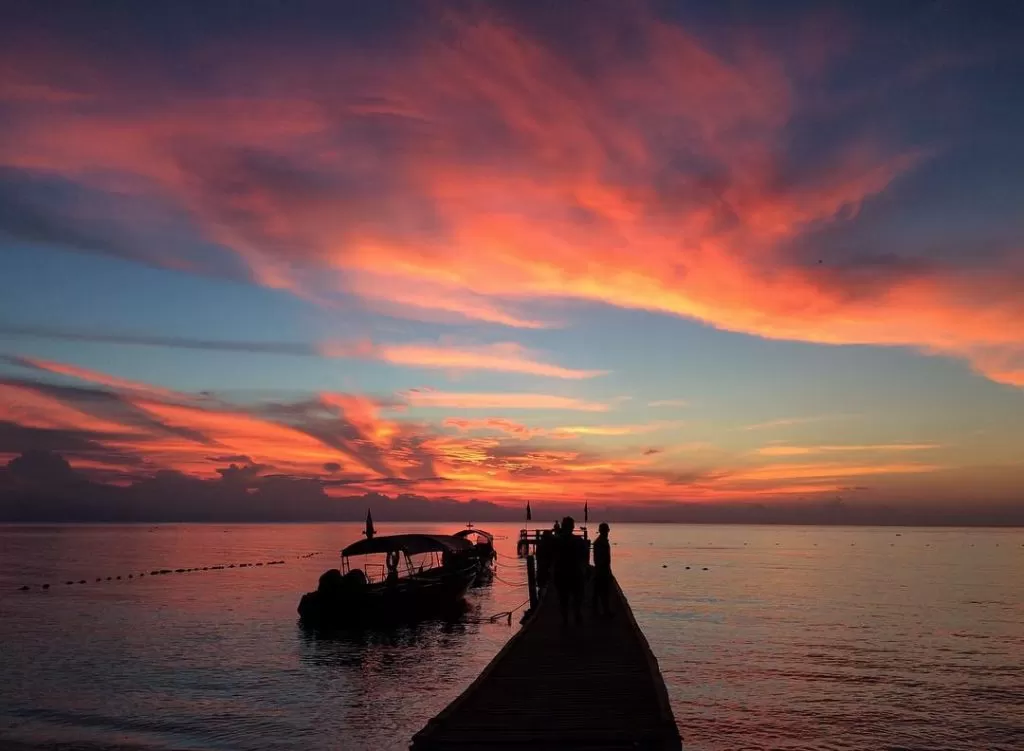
(436, 572)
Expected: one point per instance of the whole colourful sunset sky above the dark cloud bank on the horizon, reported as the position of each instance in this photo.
(635, 254)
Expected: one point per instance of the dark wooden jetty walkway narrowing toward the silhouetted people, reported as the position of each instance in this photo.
(590, 687)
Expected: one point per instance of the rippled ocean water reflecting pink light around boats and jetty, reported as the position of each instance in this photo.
(775, 638)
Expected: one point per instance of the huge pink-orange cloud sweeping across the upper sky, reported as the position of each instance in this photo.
(653, 178)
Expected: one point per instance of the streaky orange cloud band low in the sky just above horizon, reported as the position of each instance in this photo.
(350, 440)
